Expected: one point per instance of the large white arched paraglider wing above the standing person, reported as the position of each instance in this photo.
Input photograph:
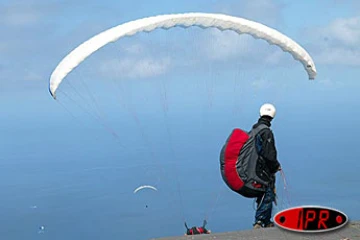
(203, 20)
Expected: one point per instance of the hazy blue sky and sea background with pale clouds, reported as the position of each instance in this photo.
(155, 108)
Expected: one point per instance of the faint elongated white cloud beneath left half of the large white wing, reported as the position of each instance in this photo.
(135, 67)
